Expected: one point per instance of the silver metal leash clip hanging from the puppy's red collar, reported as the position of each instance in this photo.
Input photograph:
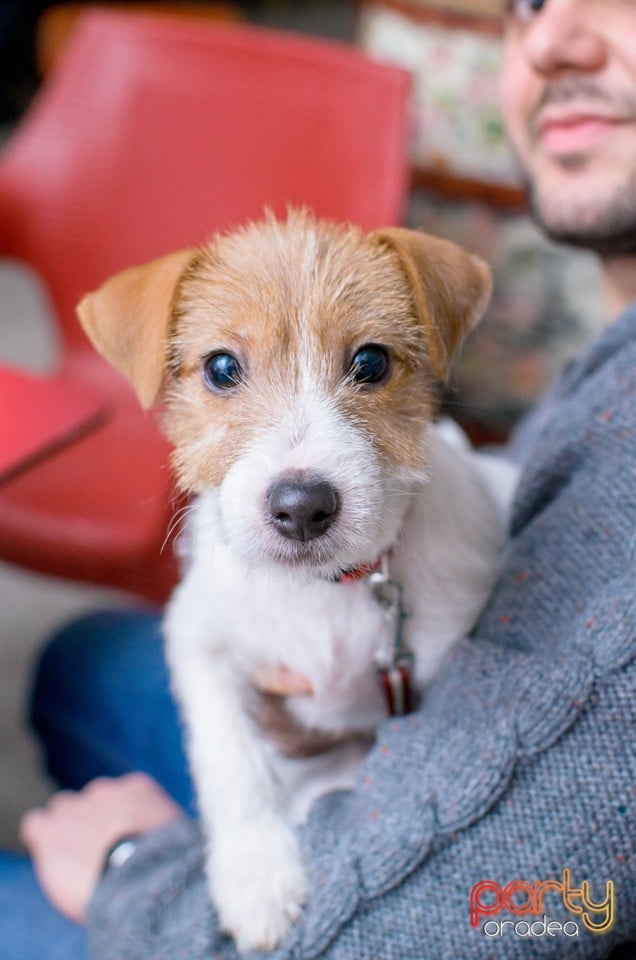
(394, 662)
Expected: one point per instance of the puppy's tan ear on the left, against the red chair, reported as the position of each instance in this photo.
(128, 320)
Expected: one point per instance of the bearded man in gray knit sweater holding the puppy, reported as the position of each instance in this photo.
(515, 782)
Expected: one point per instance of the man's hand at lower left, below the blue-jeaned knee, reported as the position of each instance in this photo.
(69, 837)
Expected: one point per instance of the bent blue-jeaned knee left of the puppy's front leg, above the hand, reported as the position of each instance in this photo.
(101, 704)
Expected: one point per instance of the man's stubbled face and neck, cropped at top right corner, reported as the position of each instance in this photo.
(568, 92)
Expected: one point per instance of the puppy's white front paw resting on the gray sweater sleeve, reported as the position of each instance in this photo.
(257, 883)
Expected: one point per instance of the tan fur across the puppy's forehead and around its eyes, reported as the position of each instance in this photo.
(292, 300)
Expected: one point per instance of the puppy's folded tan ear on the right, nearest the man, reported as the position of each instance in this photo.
(451, 288)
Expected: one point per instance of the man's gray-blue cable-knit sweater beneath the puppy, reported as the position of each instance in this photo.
(520, 762)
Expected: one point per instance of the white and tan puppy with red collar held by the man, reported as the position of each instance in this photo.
(333, 531)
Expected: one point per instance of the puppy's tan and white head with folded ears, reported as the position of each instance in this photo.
(299, 361)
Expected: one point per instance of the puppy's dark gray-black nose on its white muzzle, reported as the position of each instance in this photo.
(302, 509)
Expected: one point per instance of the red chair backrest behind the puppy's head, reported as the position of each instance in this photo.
(154, 132)
